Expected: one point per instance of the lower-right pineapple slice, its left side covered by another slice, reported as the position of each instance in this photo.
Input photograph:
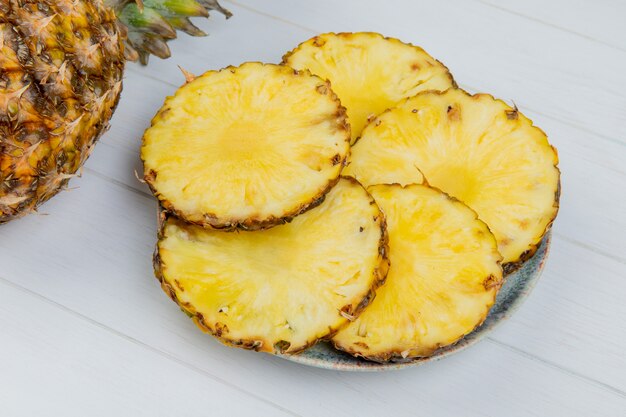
(444, 275)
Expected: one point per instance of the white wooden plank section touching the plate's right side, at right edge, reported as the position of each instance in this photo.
(571, 316)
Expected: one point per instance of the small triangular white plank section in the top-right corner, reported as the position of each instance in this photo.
(602, 21)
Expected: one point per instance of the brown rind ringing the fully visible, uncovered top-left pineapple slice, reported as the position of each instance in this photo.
(209, 219)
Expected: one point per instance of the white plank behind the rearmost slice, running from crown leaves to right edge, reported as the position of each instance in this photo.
(542, 68)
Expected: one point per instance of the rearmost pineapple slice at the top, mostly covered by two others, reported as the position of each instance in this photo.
(369, 72)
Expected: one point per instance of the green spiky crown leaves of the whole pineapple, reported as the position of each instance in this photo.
(149, 24)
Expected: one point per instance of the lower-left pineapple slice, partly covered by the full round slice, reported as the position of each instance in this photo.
(278, 290)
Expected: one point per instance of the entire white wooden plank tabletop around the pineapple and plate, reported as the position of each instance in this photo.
(86, 331)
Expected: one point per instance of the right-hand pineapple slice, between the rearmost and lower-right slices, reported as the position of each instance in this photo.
(475, 148)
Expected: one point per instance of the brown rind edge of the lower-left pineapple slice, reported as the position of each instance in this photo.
(349, 312)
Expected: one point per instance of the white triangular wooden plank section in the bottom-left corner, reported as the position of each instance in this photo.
(54, 363)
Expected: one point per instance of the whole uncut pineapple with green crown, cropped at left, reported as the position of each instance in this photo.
(61, 67)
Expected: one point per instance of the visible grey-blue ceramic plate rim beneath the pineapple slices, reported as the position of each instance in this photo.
(515, 289)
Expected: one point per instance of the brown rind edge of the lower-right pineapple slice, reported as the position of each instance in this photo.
(491, 282)
